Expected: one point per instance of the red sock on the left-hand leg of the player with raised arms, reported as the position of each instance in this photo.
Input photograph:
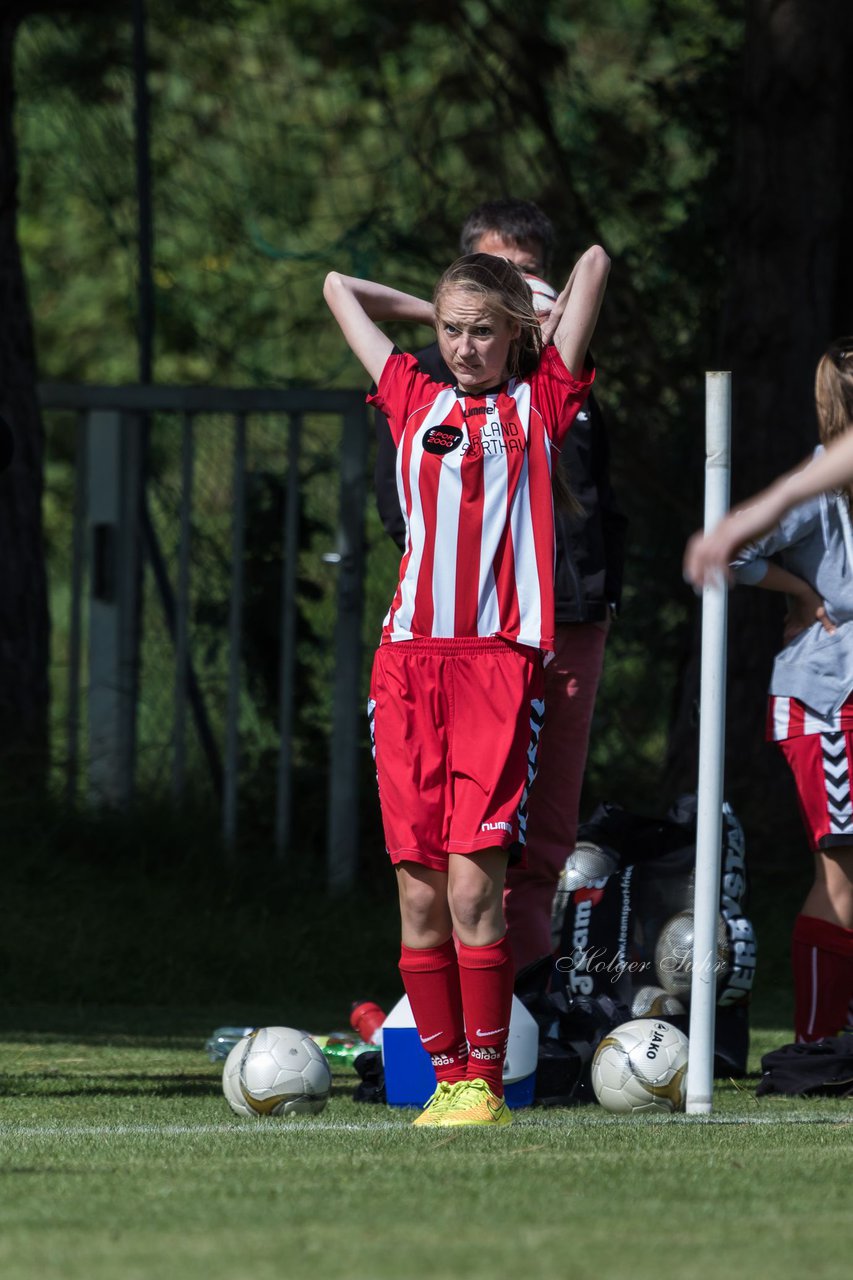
(431, 979)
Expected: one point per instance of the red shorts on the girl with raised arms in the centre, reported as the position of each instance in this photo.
(455, 726)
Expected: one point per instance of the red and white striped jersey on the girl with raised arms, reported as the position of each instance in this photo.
(475, 486)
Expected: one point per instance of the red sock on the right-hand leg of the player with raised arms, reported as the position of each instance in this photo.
(486, 976)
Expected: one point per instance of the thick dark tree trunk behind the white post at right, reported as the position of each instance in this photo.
(792, 269)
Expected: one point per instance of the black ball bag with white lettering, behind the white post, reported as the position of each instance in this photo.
(624, 922)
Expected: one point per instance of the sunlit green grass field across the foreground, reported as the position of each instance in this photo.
(121, 1162)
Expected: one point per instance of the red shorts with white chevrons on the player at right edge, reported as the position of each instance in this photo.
(822, 765)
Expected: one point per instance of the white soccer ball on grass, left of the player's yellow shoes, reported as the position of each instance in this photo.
(284, 1073)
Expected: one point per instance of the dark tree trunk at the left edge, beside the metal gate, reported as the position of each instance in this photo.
(24, 597)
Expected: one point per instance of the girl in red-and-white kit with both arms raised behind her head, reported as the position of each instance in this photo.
(457, 688)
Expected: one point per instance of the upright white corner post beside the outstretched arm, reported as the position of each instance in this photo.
(713, 716)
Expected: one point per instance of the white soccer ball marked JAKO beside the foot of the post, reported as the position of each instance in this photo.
(641, 1067)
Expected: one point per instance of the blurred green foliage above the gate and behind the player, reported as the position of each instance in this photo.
(291, 138)
